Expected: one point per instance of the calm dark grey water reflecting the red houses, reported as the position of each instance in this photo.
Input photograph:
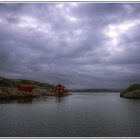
(77, 115)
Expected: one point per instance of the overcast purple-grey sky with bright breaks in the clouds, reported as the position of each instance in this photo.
(80, 45)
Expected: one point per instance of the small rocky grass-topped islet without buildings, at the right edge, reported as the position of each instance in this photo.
(132, 92)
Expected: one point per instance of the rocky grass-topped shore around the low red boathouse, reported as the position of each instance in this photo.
(9, 88)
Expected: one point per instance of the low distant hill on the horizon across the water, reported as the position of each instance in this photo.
(94, 90)
